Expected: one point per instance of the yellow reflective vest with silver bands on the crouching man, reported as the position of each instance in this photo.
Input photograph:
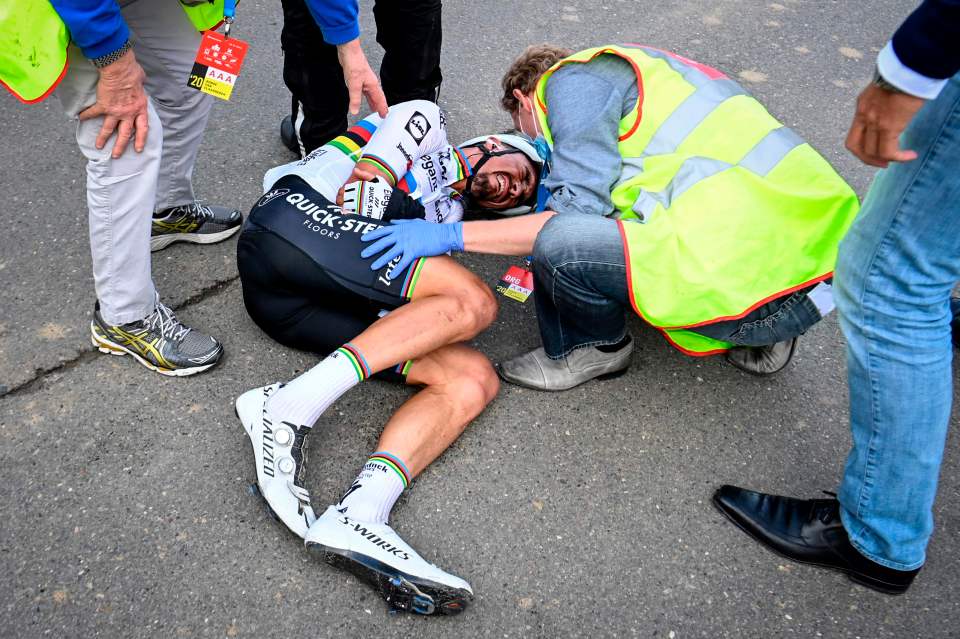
(721, 208)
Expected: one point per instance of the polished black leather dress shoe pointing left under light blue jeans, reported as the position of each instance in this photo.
(808, 531)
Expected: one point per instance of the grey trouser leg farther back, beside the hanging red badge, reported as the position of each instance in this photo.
(165, 43)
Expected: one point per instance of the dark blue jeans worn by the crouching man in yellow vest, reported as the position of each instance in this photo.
(580, 276)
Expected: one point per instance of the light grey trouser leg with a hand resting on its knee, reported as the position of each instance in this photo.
(120, 198)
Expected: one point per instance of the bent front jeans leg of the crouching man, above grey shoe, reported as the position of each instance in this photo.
(580, 279)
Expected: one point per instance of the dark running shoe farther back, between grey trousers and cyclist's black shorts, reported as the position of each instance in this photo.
(197, 223)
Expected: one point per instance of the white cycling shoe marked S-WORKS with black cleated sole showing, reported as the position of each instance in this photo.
(377, 555)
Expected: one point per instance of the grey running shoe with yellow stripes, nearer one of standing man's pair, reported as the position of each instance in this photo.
(159, 341)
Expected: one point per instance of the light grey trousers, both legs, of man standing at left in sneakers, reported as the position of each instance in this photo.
(122, 194)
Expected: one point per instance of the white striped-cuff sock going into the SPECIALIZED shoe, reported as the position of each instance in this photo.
(303, 400)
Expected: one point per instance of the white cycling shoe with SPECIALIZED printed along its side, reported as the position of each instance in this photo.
(280, 459)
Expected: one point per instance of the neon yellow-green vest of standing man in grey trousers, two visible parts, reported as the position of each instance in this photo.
(33, 44)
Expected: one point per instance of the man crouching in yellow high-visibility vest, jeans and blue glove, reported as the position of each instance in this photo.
(676, 194)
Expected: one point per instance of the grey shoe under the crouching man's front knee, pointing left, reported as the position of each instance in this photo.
(536, 370)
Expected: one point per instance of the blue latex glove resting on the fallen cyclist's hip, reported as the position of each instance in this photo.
(410, 239)
